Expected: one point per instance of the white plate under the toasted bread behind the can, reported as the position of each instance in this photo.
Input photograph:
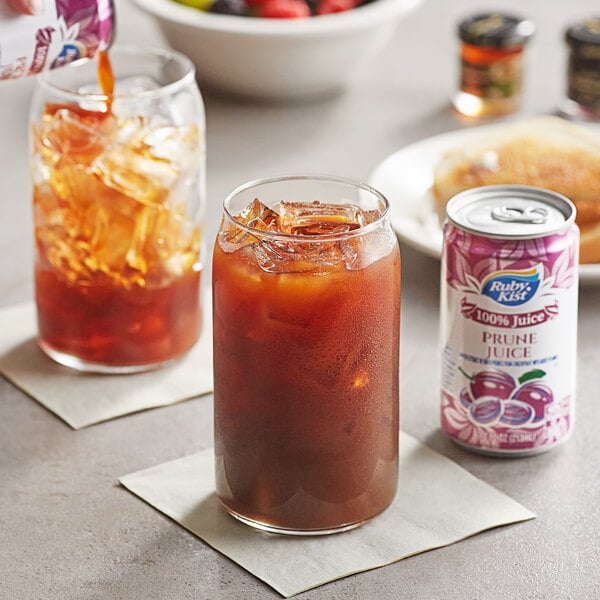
(405, 178)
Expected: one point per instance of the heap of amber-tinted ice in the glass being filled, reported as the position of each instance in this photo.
(107, 209)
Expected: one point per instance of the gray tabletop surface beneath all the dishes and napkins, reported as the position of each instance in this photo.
(68, 530)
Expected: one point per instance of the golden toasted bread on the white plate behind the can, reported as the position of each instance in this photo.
(547, 152)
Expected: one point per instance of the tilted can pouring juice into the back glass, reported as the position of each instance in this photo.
(66, 31)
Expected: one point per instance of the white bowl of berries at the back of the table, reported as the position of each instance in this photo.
(278, 58)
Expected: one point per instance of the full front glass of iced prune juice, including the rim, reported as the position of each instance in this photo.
(306, 319)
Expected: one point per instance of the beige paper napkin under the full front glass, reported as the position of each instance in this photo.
(438, 503)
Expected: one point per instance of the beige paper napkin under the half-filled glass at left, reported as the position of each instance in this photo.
(84, 399)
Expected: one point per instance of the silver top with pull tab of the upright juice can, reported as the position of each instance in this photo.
(511, 211)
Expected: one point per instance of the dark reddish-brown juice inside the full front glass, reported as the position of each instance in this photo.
(306, 390)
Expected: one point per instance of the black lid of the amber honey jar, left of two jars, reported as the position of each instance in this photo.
(496, 30)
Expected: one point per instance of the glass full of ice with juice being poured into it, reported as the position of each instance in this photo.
(118, 170)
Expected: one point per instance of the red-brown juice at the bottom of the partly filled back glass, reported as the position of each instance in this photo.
(107, 324)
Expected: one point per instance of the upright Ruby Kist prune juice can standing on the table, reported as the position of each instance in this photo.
(509, 288)
